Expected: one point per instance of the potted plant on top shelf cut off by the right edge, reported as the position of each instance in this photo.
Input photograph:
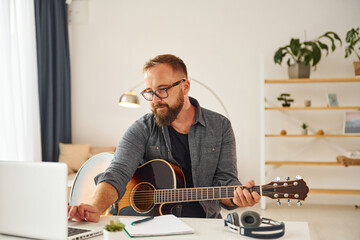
(353, 39)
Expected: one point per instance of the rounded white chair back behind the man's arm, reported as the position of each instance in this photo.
(84, 185)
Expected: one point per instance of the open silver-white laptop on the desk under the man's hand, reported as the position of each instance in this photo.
(33, 202)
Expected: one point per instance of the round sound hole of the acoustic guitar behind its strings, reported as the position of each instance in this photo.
(143, 197)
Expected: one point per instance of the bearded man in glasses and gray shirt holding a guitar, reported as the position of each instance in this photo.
(198, 141)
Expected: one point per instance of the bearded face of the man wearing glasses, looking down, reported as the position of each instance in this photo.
(167, 109)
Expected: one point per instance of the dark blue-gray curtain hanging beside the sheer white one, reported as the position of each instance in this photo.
(54, 75)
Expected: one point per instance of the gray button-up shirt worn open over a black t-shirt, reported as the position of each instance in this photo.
(212, 150)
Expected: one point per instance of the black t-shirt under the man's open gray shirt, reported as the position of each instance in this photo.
(181, 153)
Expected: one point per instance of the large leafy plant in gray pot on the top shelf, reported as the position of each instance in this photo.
(303, 55)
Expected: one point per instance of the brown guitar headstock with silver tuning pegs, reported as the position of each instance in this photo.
(294, 189)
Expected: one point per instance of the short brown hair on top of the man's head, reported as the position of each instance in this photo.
(175, 63)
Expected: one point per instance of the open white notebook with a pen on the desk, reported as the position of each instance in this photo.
(159, 226)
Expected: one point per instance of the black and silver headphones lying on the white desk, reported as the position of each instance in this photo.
(251, 221)
